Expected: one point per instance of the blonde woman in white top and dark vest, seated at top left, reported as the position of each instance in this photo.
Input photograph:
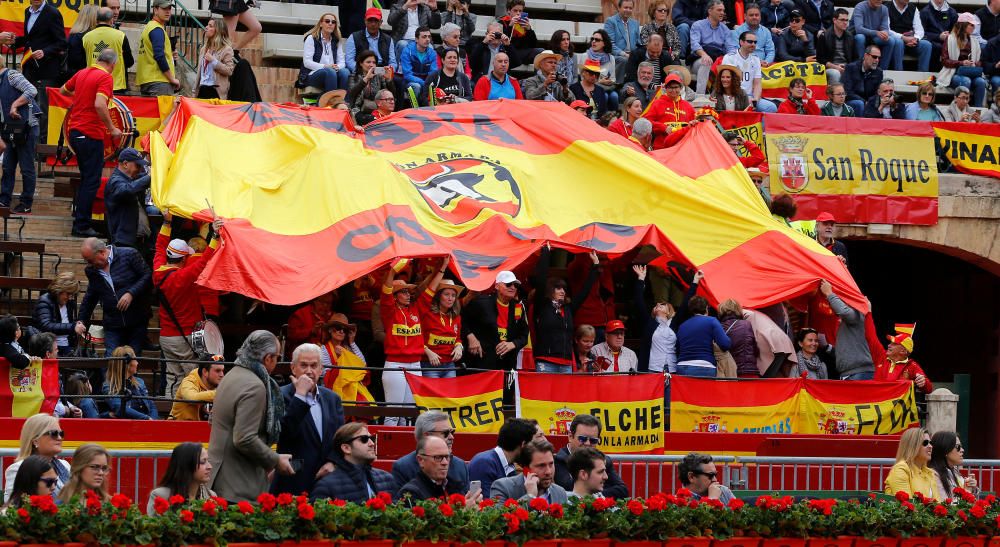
(323, 61)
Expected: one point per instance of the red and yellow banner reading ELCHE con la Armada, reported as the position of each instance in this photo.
(630, 407)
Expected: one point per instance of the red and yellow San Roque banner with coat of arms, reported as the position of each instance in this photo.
(882, 173)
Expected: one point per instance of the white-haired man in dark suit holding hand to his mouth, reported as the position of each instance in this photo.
(312, 414)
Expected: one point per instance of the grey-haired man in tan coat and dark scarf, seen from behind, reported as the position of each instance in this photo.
(246, 422)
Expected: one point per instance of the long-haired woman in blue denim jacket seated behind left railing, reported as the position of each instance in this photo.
(128, 392)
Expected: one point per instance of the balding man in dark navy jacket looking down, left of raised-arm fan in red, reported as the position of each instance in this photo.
(119, 280)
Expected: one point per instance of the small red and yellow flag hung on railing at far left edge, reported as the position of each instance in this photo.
(29, 391)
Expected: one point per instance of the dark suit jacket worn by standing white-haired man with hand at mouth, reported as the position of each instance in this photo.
(300, 438)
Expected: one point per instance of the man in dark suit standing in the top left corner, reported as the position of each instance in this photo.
(45, 35)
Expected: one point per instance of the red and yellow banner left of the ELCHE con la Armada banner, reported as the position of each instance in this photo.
(474, 403)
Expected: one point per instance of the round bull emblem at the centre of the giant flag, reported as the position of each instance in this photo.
(458, 190)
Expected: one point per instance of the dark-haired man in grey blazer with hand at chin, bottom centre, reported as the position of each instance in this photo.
(537, 481)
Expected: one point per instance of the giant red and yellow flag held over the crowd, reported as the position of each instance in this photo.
(488, 183)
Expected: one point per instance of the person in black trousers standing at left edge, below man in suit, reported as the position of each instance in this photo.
(17, 101)
